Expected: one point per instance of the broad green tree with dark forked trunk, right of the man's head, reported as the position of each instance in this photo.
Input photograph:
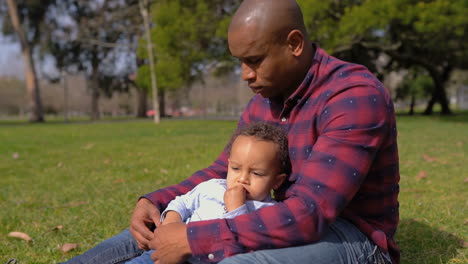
(428, 34)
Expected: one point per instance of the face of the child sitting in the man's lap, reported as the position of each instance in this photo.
(254, 165)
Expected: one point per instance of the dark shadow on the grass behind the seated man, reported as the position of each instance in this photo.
(421, 243)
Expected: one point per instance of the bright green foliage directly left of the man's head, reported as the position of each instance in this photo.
(189, 39)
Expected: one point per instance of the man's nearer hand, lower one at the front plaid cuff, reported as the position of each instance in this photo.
(171, 244)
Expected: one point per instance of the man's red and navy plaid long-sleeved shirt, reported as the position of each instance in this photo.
(343, 149)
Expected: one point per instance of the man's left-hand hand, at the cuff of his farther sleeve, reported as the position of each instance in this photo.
(145, 216)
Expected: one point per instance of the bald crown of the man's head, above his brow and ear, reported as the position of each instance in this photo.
(277, 17)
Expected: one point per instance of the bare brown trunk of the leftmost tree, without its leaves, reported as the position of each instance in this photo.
(32, 85)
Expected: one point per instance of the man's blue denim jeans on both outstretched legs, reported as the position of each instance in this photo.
(343, 243)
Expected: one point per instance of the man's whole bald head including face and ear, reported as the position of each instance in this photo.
(270, 40)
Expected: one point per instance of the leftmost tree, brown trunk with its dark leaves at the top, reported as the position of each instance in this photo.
(26, 23)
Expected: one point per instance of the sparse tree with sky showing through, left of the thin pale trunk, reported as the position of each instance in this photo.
(99, 36)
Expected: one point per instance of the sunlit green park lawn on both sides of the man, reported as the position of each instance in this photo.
(85, 178)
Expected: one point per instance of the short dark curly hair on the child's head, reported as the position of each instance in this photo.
(266, 132)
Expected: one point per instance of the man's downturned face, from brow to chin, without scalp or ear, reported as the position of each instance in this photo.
(265, 62)
